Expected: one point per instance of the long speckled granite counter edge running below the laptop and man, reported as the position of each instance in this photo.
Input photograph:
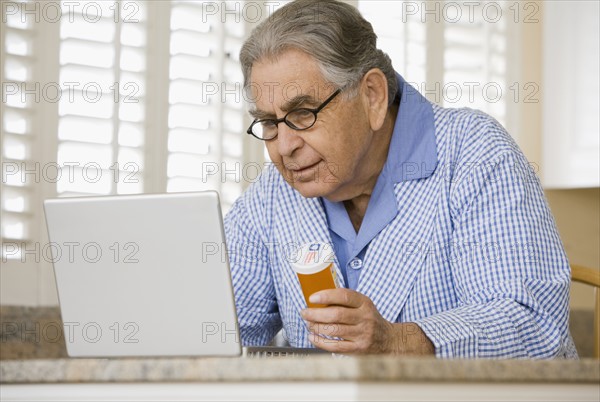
(313, 368)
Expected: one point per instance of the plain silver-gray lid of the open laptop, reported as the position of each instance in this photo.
(143, 275)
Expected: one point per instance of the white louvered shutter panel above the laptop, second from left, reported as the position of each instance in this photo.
(101, 122)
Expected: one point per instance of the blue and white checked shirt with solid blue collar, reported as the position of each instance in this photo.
(464, 245)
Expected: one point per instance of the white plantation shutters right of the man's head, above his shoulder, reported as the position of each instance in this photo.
(453, 52)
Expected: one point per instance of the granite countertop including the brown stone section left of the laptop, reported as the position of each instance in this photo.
(32, 351)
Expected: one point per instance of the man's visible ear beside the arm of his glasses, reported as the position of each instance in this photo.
(375, 90)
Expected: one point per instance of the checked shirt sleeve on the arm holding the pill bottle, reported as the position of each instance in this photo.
(510, 272)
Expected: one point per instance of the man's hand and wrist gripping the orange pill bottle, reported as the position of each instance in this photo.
(353, 319)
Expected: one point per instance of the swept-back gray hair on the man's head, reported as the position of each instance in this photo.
(334, 33)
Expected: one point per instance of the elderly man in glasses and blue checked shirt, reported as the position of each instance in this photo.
(444, 244)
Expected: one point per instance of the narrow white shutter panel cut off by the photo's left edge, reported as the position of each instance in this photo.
(17, 156)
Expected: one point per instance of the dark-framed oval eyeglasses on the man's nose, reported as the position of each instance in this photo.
(297, 119)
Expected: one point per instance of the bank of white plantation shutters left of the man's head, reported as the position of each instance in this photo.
(137, 109)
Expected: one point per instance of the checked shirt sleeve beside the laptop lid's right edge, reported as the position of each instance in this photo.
(255, 297)
